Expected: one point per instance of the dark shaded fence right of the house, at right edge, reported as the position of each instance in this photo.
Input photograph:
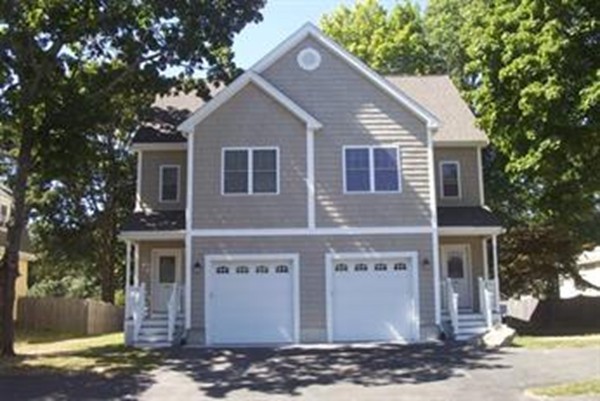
(579, 315)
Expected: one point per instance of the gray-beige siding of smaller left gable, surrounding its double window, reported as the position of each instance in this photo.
(250, 119)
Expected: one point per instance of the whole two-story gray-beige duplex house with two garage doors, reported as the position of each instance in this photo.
(311, 200)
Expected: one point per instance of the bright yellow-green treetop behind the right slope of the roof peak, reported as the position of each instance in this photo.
(390, 41)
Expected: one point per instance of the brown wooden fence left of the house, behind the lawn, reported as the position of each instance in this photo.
(81, 316)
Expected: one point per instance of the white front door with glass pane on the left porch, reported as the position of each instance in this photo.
(166, 268)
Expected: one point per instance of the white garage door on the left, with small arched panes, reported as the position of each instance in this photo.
(251, 301)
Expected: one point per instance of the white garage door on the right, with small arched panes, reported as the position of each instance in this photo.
(373, 299)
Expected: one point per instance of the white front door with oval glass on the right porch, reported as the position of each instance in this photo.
(457, 267)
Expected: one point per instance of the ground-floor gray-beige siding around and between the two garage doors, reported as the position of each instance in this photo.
(312, 251)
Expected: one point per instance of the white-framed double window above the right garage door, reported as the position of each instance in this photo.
(372, 169)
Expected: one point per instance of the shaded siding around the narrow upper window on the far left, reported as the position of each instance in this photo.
(150, 191)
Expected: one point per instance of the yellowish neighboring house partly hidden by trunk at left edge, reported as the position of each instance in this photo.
(25, 256)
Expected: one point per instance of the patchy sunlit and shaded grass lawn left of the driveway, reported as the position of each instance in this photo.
(40, 352)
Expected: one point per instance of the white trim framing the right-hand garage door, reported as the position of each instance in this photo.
(330, 258)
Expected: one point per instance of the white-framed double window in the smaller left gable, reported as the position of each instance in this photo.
(250, 171)
